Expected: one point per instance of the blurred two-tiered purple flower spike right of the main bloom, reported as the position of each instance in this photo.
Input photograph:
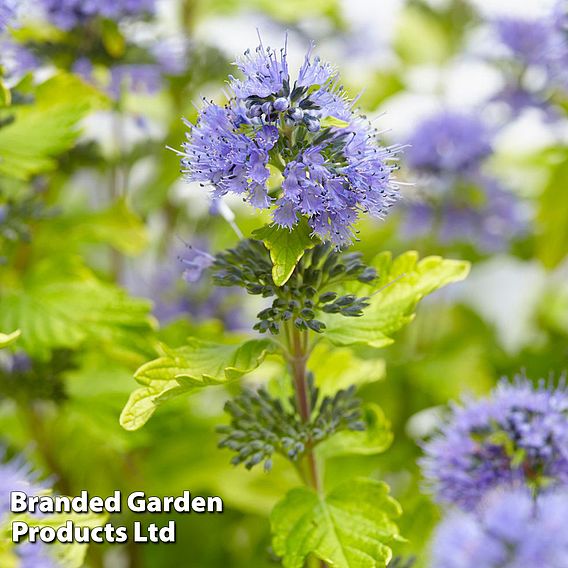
(448, 151)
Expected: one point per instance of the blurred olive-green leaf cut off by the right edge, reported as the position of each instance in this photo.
(552, 238)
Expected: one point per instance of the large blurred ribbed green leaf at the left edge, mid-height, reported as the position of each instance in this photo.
(58, 302)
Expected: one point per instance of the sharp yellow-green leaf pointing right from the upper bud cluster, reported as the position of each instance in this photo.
(402, 283)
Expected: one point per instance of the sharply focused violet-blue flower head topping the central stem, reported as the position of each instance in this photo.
(332, 166)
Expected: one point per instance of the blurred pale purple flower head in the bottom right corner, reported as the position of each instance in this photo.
(509, 530)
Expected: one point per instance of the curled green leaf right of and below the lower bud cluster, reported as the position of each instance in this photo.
(376, 438)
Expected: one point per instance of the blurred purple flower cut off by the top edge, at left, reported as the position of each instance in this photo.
(68, 14)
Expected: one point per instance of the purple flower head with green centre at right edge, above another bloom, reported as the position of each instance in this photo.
(519, 435)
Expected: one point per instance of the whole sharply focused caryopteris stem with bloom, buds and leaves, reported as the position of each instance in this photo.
(299, 148)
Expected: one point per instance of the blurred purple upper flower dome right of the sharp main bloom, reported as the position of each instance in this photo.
(449, 143)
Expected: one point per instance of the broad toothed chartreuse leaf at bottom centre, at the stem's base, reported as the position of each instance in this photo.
(351, 527)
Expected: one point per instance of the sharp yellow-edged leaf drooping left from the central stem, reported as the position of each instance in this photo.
(186, 370)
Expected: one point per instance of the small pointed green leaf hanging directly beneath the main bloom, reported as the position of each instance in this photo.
(286, 246)
